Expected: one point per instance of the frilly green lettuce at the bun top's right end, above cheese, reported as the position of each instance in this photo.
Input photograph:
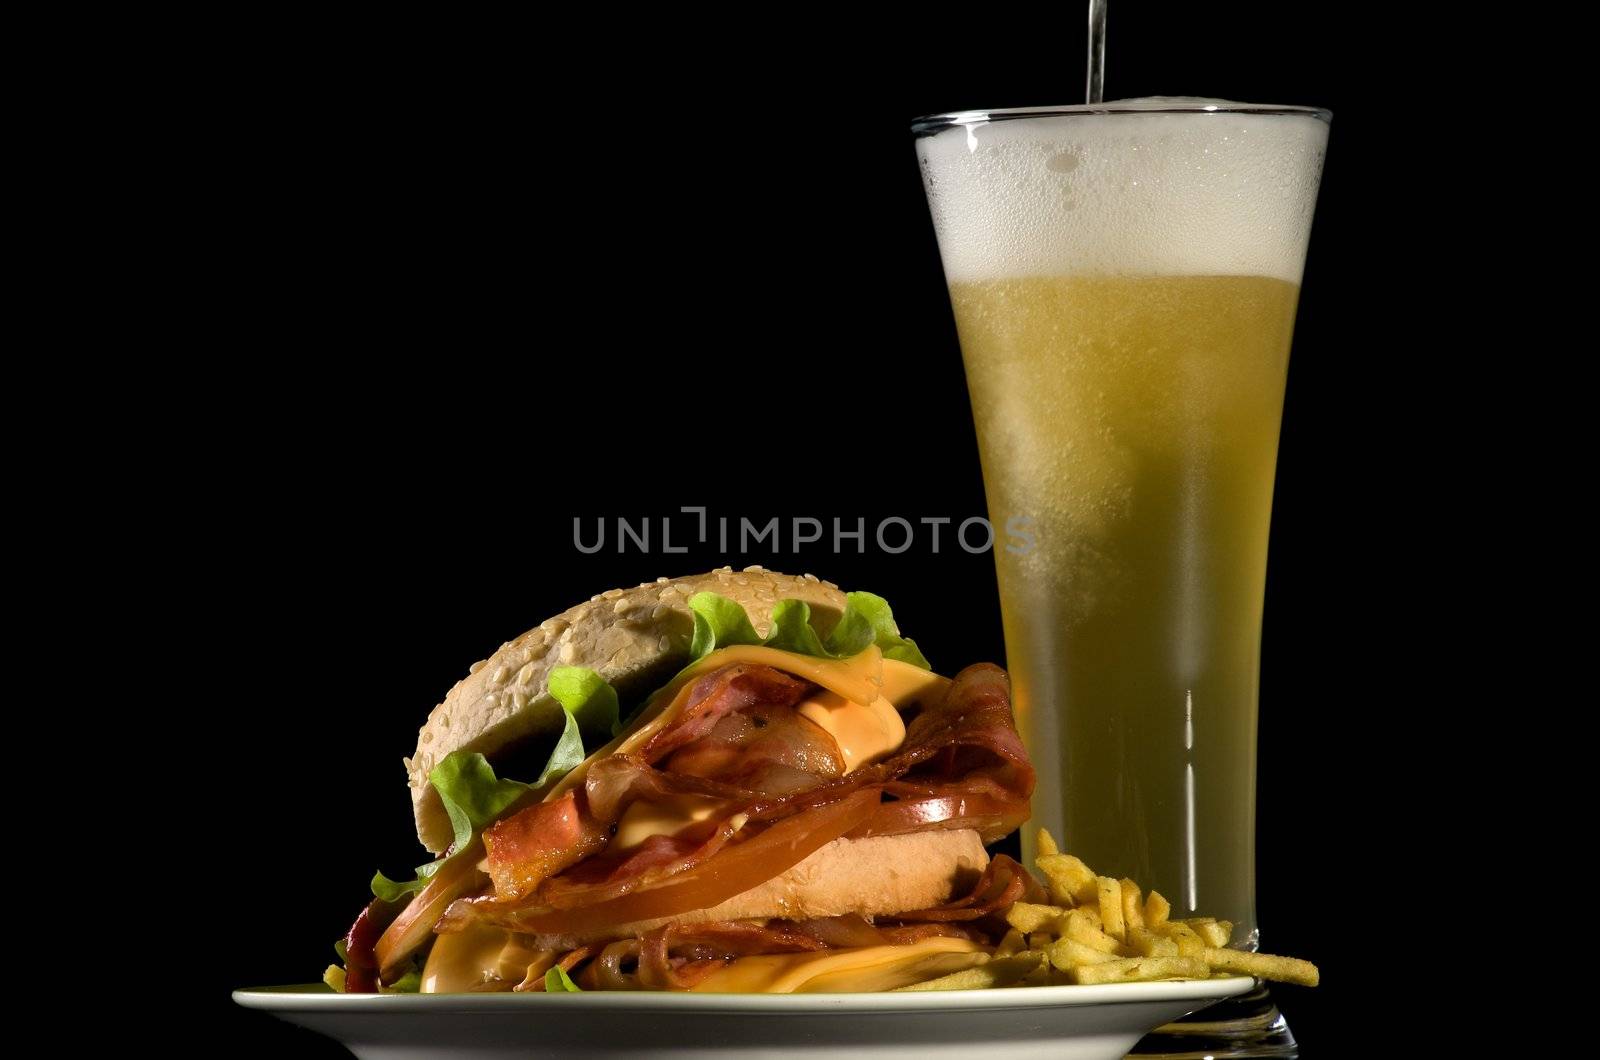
(868, 620)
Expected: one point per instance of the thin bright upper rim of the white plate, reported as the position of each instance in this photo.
(306, 997)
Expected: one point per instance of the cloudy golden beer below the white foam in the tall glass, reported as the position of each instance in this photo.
(1130, 425)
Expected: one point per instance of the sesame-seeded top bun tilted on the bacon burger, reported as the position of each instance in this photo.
(636, 640)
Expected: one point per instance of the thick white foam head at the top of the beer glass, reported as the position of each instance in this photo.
(1126, 188)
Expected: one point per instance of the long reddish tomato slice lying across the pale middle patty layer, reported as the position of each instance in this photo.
(729, 873)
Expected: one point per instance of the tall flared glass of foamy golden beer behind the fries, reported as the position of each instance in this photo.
(1124, 279)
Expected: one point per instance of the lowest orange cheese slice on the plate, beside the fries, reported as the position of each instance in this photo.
(841, 971)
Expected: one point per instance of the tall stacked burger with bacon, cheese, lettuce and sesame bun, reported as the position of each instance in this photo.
(732, 782)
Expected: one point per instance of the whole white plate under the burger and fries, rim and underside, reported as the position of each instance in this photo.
(1020, 1024)
